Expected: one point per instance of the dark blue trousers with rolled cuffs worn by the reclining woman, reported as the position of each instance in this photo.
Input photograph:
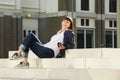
(32, 42)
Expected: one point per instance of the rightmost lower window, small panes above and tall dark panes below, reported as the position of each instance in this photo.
(111, 35)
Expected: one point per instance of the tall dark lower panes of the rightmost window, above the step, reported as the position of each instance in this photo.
(111, 39)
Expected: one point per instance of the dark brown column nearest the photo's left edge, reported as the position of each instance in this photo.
(7, 32)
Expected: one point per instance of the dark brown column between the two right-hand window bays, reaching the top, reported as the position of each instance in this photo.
(100, 27)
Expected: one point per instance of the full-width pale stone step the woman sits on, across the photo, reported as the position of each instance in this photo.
(92, 63)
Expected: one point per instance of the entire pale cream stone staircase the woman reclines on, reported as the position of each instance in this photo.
(78, 64)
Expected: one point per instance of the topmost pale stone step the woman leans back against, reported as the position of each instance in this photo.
(93, 53)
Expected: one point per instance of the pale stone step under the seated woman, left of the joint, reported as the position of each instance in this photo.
(46, 63)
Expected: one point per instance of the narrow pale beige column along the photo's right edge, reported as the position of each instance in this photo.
(118, 23)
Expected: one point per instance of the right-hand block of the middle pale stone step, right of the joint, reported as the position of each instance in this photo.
(104, 63)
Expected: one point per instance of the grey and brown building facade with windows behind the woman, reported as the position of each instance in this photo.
(95, 21)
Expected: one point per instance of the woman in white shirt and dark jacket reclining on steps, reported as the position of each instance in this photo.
(60, 41)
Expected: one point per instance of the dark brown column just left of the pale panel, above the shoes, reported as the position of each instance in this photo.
(17, 30)
